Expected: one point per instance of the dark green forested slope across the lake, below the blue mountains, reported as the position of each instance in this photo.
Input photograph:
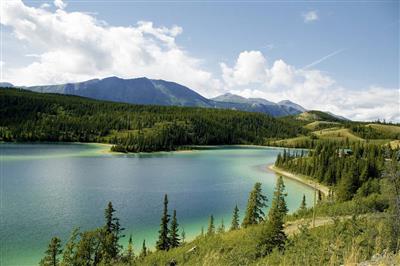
(30, 116)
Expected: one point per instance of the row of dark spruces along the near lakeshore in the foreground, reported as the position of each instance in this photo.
(101, 246)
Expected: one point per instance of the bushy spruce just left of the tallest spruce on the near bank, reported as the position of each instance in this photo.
(256, 203)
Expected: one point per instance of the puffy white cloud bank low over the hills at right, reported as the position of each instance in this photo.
(314, 90)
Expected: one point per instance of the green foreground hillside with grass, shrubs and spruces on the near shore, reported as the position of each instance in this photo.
(364, 228)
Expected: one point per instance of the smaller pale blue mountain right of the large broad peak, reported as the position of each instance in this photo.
(232, 101)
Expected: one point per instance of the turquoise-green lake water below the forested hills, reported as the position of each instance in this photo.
(48, 189)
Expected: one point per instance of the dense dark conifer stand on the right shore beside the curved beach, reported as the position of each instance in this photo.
(350, 170)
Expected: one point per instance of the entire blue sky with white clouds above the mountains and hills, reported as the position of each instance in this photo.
(352, 46)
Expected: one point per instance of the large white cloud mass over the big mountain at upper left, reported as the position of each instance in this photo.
(75, 46)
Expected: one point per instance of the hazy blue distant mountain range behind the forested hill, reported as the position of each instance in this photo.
(160, 92)
